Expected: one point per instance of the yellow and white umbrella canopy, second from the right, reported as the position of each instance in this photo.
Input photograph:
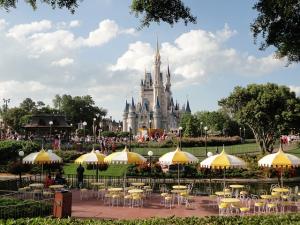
(223, 161)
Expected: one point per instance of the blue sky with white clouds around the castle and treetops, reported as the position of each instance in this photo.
(99, 51)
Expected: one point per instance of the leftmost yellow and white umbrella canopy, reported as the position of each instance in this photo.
(42, 157)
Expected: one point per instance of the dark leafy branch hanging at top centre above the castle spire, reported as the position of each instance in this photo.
(169, 11)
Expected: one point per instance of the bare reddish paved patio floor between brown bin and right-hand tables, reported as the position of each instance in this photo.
(94, 208)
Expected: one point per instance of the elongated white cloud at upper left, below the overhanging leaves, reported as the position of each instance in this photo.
(20, 31)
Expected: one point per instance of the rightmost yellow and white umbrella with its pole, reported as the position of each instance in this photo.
(281, 160)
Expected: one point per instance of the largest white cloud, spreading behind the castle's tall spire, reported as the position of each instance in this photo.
(197, 55)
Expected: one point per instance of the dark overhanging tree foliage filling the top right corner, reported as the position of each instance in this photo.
(278, 23)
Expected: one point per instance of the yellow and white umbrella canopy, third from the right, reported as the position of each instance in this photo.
(177, 157)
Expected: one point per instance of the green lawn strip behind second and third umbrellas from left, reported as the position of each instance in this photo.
(112, 170)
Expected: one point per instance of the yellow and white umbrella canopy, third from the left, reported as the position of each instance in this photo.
(124, 157)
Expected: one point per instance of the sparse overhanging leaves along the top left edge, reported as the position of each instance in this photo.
(71, 5)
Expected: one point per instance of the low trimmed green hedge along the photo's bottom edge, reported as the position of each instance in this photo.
(214, 220)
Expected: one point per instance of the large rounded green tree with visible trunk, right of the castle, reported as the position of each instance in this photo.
(267, 109)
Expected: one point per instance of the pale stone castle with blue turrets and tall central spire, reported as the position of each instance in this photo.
(156, 109)
